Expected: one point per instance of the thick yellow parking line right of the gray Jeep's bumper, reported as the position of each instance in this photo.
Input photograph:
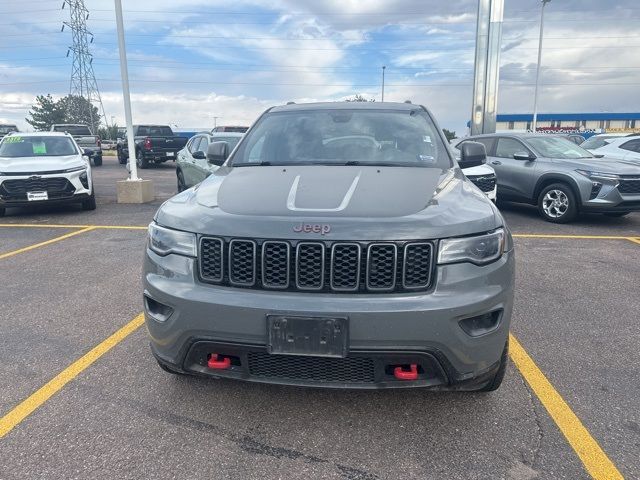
(595, 461)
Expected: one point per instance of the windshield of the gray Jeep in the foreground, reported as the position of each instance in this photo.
(344, 137)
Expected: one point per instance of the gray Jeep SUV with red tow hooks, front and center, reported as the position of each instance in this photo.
(340, 245)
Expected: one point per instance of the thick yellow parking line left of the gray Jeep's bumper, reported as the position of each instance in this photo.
(9, 421)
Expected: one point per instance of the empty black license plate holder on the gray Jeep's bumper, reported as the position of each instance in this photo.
(310, 336)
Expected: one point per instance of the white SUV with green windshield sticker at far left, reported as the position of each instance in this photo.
(44, 167)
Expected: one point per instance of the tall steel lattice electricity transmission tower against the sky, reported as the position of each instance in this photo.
(83, 80)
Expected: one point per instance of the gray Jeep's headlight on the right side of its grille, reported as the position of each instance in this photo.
(478, 250)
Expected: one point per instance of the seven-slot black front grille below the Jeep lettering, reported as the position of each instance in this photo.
(317, 266)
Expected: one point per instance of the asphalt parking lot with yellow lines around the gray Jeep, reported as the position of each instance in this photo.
(80, 401)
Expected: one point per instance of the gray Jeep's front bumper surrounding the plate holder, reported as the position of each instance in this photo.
(386, 329)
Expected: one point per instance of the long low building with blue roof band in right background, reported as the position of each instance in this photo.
(584, 123)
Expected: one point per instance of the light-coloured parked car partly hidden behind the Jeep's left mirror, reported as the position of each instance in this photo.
(192, 166)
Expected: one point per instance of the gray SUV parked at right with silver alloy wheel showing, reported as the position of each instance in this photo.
(560, 177)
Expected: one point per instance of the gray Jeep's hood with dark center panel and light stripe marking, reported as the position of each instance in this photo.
(357, 203)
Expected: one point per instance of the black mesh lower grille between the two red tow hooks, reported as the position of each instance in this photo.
(312, 369)
